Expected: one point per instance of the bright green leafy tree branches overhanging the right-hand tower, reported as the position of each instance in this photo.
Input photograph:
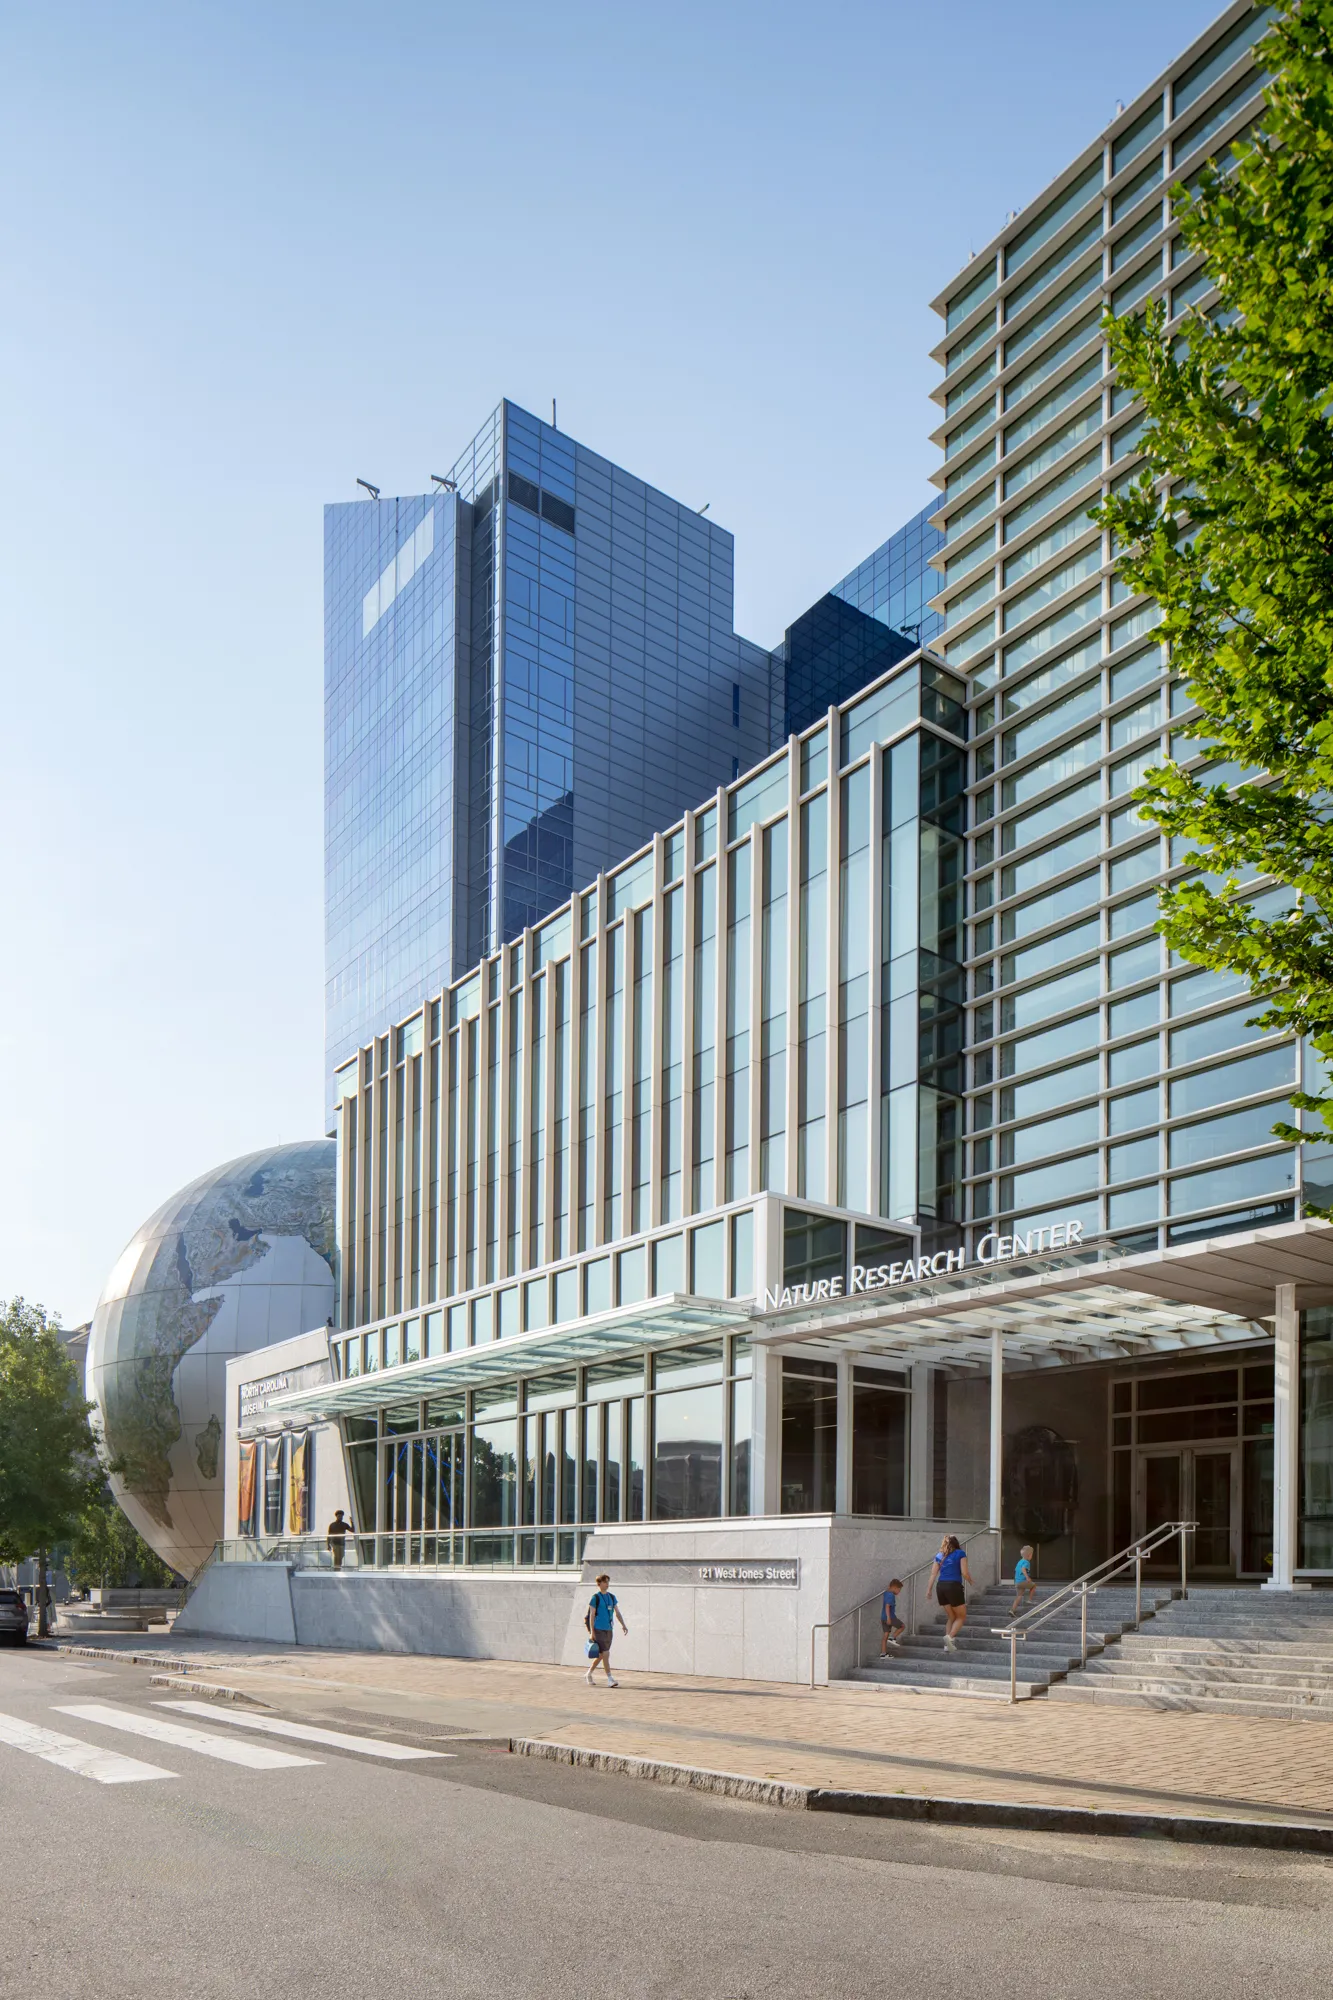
(1230, 527)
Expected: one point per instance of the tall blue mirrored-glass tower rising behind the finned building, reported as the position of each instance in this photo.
(527, 671)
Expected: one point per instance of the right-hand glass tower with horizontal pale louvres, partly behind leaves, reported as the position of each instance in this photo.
(1104, 1075)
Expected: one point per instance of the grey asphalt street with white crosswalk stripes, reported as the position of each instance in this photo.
(157, 1843)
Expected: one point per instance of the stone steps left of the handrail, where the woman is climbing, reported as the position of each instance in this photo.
(982, 1659)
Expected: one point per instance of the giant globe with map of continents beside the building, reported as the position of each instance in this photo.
(239, 1259)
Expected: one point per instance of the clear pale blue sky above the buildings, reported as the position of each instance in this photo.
(257, 251)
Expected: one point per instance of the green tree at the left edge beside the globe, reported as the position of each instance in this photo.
(47, 1453)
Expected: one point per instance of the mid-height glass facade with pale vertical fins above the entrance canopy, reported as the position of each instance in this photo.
(459, 1133)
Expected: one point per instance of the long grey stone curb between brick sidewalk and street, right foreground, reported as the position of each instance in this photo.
(1292, 1837)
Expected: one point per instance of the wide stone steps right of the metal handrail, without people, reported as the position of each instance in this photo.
(1244, 1653)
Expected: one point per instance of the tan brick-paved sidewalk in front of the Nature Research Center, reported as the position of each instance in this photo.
(846, 1737)
